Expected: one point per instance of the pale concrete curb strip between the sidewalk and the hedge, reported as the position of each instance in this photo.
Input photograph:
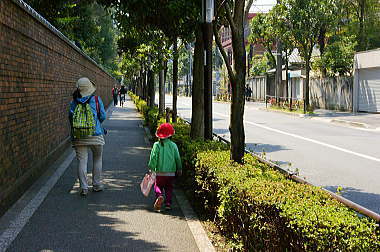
(192, 220)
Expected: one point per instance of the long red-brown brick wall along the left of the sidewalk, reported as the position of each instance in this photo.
(38, 71)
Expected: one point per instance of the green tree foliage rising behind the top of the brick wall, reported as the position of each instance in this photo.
(86, 23)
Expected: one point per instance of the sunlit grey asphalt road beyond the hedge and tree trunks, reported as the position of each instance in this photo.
(325, 154)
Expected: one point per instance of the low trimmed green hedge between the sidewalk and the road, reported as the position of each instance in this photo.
(258, 209)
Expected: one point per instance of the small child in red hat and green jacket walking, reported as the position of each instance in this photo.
(165, 161)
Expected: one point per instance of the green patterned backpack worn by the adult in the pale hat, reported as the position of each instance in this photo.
(83, 121)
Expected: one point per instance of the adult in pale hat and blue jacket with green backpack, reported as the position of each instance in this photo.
(86, 115)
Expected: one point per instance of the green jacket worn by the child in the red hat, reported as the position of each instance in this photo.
(165, 158)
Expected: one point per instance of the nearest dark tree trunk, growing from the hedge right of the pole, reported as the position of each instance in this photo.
(238, 85)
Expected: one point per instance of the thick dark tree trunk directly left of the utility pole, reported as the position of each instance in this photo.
(197, 120)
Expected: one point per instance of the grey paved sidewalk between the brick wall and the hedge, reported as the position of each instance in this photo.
(118, 219)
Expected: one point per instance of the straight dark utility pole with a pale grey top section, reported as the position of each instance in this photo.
(208, 14)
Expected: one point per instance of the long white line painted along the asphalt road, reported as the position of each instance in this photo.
(308, 139)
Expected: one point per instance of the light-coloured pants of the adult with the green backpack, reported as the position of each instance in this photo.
(82, 157)
